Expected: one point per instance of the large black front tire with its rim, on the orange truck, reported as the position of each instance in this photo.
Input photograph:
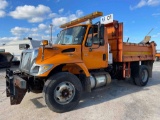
(62, 92)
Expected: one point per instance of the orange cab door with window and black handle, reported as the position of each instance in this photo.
(96, 55)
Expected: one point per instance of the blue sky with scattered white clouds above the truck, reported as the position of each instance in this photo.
(20, 19)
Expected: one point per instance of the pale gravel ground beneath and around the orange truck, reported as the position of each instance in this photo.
(121, 100)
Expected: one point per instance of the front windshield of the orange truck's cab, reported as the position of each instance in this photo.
(72, 35)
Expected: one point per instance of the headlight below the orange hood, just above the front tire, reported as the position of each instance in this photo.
(40, 69)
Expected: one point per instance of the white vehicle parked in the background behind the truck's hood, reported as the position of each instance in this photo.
(13, 47)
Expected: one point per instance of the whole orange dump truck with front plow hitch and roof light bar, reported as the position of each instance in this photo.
(84, 57)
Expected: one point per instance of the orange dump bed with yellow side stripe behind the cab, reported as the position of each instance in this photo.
(125, 51)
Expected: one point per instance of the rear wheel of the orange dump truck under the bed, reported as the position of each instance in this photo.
(141, 78)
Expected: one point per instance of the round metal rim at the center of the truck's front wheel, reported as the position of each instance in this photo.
(64, 92)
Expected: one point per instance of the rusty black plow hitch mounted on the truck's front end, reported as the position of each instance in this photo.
(16, 87)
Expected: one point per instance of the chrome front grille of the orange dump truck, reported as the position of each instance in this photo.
(26, 61)
